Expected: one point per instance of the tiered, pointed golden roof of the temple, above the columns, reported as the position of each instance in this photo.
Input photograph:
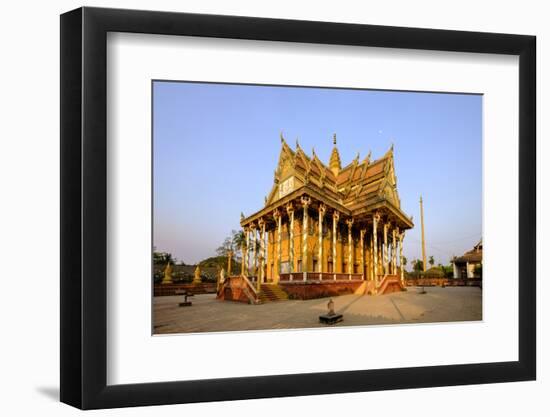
(354, 190)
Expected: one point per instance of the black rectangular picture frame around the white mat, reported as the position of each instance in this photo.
(84, 207)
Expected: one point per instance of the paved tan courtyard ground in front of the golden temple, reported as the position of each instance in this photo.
(210, 315)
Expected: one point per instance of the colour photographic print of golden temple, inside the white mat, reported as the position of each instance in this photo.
(290, 207)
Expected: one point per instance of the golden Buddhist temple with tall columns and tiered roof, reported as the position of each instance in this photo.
(325, 229)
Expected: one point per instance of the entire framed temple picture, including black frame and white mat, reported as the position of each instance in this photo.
(330, 179)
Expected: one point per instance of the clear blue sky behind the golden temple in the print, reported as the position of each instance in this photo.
(216, 147)
